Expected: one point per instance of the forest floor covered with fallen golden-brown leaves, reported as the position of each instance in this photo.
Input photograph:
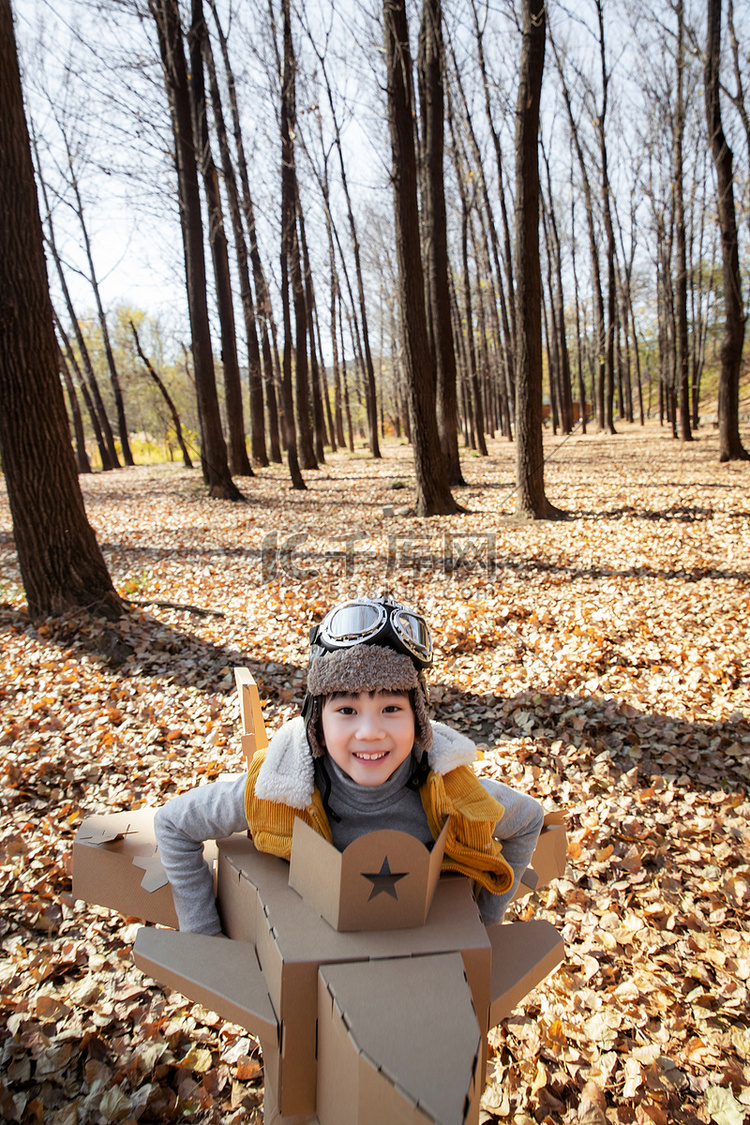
(601, 663)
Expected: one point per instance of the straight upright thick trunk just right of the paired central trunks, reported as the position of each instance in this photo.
(531, 500)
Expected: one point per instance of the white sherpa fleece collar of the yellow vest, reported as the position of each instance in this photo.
(287, 776)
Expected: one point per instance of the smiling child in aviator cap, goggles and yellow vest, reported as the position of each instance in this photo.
(363, 757)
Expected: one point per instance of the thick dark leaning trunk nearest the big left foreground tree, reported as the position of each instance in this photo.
(213, 452)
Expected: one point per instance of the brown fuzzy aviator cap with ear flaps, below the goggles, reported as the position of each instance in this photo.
(367, 669)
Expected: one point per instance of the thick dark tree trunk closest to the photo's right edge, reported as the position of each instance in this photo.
(730, 445)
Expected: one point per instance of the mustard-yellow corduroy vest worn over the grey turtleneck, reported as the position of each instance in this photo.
(471, 848)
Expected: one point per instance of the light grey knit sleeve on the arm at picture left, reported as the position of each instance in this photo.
(182, 826)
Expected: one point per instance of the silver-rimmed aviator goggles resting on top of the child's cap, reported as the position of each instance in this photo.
(376, 623)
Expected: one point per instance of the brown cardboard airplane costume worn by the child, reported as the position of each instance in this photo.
(368, 977)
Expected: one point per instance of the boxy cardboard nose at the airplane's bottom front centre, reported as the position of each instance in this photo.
(399, 1041)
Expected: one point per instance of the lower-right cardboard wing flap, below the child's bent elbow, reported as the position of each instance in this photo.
(523, 955)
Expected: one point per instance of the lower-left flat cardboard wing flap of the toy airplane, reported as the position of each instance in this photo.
(223, 976)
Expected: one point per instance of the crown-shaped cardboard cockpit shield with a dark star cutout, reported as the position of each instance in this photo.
(384, 880)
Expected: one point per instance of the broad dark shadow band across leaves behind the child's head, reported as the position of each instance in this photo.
(707, 755)
